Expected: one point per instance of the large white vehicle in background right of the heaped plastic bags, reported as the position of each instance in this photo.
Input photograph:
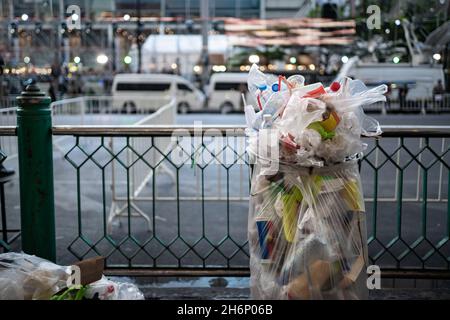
(419, 79)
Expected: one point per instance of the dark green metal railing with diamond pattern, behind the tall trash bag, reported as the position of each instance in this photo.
(405, 175)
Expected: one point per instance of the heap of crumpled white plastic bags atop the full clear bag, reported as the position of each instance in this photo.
(319, 125)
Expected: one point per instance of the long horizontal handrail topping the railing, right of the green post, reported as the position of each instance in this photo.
(231, 130)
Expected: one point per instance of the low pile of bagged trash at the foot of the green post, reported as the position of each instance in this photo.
(27, 277)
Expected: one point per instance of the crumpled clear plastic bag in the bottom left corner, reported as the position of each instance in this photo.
(26, 277)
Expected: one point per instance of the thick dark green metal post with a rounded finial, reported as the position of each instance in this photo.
(34, 124)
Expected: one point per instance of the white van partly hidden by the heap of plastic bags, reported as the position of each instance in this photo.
(224, 91)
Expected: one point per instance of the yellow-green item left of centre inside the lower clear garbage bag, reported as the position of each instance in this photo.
(291, 200)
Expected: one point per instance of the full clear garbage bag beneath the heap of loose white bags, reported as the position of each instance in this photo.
(307, 234)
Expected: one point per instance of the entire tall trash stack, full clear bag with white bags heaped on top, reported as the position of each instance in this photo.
(307, 229)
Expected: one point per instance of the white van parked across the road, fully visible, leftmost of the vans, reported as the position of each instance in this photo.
(146, 92)
